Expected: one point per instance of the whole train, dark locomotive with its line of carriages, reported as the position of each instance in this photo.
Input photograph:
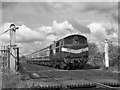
(70, 52)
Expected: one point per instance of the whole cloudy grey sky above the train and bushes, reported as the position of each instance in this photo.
(42, 23)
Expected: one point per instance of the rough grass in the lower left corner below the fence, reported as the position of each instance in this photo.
(8, 78)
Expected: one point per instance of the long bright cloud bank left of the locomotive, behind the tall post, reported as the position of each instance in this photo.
(26, 35)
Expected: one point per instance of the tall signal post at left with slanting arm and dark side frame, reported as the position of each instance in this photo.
(12, 58)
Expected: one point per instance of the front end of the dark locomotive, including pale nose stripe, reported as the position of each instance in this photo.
(75, 51)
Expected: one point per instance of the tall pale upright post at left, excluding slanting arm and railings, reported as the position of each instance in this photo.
(12, 47)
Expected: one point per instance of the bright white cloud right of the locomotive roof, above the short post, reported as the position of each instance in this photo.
(99, 33)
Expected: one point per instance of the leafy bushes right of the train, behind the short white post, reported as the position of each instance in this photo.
(97, 58)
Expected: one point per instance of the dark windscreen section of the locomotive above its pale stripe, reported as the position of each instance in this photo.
(76, 39)
